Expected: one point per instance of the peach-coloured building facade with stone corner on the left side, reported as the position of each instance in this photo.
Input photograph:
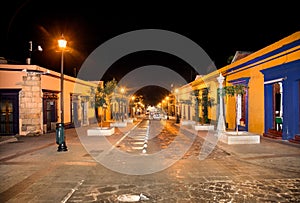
(30, 100)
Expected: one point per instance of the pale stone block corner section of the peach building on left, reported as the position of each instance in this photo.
(31, 106)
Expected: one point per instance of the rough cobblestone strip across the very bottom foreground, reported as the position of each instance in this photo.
(275, 190)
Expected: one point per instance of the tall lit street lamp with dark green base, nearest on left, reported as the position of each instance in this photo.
(60, 136)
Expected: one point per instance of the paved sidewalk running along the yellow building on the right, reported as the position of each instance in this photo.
(270, 153)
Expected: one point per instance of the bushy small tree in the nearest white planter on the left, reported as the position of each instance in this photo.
(103, 95)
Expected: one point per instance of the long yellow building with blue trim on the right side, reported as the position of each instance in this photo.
(270, 107)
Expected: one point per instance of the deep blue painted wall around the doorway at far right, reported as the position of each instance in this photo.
(290, 72)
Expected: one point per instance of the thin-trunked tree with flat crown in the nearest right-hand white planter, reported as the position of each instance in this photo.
(235, 91)
